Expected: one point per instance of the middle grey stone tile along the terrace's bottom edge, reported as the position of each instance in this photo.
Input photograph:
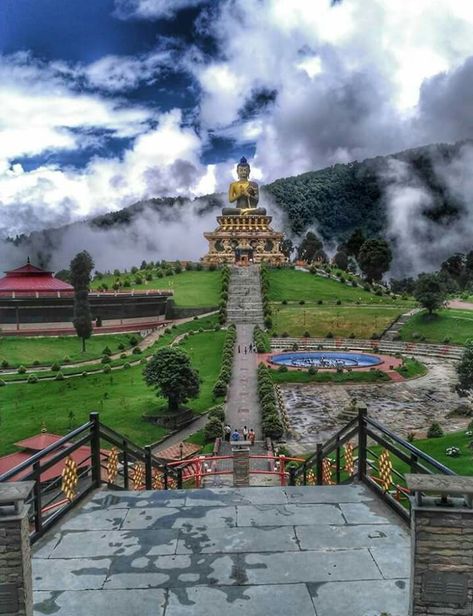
(282, 600)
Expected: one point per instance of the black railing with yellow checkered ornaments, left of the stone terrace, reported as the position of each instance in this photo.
(83, 460)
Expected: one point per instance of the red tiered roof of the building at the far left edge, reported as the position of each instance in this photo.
(32, 281)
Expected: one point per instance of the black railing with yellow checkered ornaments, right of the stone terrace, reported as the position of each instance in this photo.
(366, 450)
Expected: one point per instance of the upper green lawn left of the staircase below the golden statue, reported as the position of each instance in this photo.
(191, 289)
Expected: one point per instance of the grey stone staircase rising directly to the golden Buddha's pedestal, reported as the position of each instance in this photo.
(244, 297)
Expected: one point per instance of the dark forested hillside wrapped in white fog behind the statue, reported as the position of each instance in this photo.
(422, 200)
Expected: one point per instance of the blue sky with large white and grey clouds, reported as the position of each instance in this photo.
(105, 102)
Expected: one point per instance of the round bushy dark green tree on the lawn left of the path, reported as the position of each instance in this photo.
(171, 374)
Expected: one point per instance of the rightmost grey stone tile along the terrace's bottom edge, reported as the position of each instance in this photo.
(361, 598)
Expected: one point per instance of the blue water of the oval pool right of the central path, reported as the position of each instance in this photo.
(325, 359)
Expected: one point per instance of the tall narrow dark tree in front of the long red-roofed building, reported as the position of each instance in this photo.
(81, 268)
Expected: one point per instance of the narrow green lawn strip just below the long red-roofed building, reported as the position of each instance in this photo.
(17, 350)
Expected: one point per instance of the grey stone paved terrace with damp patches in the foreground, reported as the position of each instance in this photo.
(313, 551)
